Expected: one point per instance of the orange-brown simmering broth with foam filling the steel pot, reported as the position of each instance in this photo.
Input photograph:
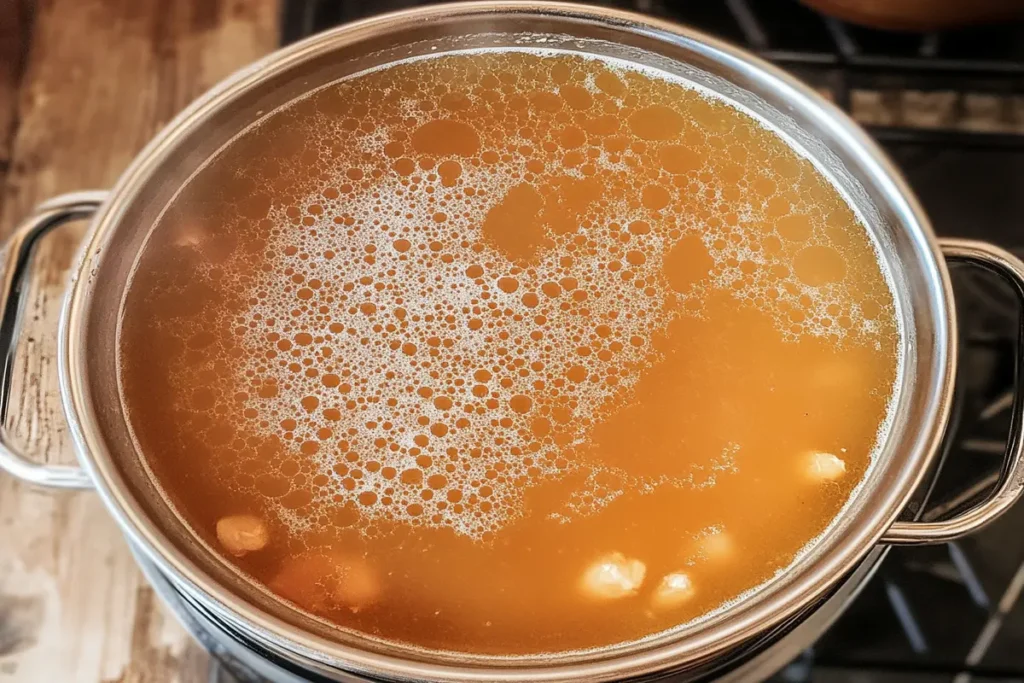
(508, 353)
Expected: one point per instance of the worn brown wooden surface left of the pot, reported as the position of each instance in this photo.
(100, 79)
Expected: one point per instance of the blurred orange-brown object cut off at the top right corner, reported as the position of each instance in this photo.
(920, 15)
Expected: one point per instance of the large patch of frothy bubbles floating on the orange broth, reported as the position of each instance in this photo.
(477, 275)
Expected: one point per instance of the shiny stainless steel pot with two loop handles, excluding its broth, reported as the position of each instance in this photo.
(123, 219)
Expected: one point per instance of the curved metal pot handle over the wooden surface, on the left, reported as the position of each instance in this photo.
(18, 263)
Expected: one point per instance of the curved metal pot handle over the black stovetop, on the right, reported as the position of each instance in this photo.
(1011, 486)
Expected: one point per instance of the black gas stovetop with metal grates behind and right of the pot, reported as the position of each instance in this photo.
(932, 614)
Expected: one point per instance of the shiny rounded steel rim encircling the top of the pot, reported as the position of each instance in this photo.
(710, 639)
